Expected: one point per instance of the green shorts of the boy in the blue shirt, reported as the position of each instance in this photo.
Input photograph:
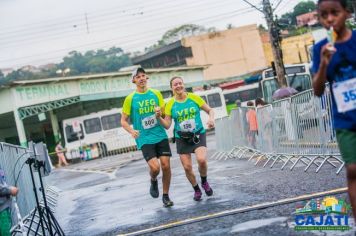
(347, 143)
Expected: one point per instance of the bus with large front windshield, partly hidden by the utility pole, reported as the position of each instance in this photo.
(298, 77)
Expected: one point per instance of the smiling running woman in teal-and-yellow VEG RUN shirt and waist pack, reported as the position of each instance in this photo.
(184, 108)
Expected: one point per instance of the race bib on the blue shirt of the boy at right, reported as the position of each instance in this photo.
(345, 95)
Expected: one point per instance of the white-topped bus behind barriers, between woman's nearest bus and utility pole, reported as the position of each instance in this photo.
(244, 93)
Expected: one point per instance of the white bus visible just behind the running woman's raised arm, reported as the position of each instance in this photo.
(215, 99)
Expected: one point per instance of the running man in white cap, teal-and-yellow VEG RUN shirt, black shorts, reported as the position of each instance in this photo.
(150, 136)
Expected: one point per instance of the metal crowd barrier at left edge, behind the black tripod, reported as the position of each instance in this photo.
(13, 161)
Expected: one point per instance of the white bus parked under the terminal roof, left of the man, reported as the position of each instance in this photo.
(98, 133)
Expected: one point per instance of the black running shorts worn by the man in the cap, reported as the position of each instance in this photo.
(150, 151)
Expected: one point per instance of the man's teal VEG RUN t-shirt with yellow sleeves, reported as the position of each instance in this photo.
(140, 108)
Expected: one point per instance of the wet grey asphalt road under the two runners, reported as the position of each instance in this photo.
(96, 202)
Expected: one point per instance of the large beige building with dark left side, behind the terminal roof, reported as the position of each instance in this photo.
(228, 53)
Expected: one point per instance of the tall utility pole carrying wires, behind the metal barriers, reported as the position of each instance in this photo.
(275, 43)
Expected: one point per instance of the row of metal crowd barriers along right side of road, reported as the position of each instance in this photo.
(291, 131)
